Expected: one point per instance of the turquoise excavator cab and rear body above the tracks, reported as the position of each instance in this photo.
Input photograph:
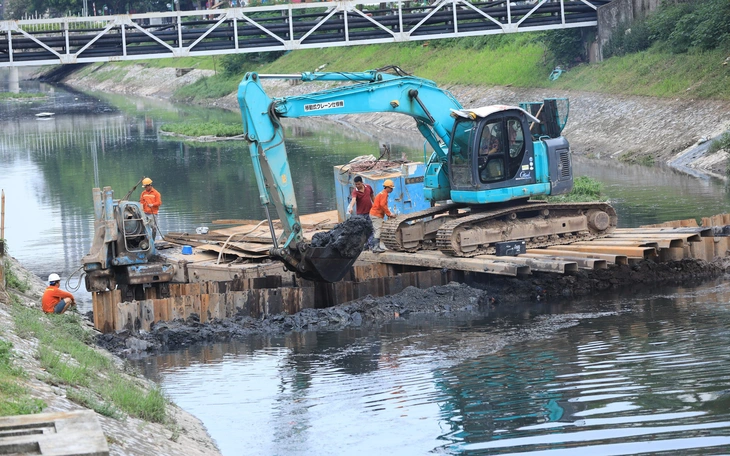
(493, 157)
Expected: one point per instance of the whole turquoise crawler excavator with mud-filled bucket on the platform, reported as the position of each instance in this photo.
(485, 166)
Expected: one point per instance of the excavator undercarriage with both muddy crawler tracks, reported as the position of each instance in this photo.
(458, 230)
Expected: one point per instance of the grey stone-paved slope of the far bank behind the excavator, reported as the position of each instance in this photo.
(602, 126)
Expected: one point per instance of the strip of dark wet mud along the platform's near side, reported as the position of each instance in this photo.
(463, 301)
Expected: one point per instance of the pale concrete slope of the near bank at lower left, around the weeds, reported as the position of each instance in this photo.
(183, 434)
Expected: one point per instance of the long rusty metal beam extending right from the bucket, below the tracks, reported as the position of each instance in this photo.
(433, 259)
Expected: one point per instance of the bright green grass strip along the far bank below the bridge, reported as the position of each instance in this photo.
(517, 60)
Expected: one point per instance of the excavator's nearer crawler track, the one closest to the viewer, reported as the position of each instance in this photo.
(539, 224)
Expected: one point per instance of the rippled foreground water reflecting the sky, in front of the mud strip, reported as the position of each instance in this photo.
(544, 379)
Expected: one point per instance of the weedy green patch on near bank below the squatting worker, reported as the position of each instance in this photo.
(92, 379)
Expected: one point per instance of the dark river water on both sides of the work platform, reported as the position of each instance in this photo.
(617, 373)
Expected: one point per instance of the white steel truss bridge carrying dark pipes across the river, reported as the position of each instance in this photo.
(73, 40)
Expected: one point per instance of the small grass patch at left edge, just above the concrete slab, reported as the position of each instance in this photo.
(14, 397)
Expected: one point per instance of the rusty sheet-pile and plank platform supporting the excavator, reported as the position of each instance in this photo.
(229, 274)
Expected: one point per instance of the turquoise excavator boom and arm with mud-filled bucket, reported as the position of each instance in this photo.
(373, 92)
